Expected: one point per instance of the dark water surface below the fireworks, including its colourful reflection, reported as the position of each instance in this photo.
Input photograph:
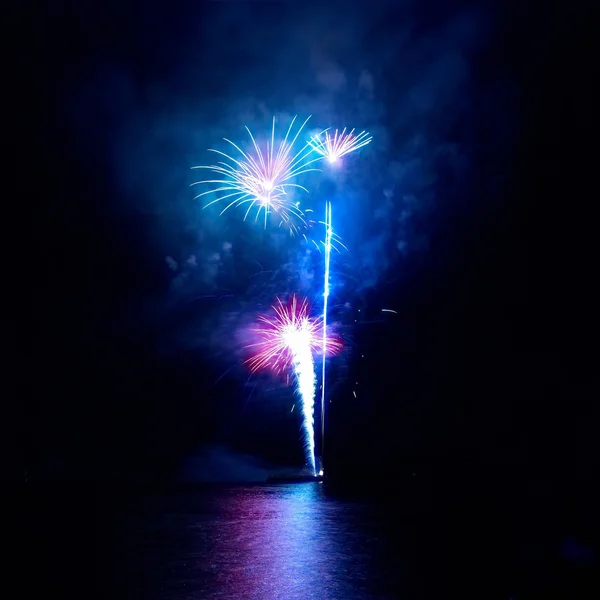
(301, 541)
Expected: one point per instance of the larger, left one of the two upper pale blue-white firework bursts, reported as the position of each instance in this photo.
(259, 180)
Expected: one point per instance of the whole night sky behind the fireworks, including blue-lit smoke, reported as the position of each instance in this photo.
(470, 214)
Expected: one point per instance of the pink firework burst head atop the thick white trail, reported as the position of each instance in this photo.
(290, 332)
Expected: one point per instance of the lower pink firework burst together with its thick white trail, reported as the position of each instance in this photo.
(290, 339)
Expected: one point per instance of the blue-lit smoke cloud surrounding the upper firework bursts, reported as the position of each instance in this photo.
(405, 76)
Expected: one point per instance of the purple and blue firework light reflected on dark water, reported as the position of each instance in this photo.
(266, 542)
